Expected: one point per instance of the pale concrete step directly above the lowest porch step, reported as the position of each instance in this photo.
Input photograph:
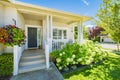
(31, 61)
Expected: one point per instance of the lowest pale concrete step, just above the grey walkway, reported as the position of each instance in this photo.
(33, 67)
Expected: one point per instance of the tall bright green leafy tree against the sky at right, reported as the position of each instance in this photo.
(109, 18)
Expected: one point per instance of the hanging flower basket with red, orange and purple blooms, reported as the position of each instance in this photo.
(11, 35)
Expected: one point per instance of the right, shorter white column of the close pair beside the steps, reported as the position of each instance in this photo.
(51, 32)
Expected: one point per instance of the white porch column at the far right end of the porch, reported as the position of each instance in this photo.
(80, 32)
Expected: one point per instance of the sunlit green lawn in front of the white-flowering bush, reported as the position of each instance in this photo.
(107, 70)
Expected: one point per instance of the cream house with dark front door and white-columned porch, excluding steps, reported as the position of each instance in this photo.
(46, 28)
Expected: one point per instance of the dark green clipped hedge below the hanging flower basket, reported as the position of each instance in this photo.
(6, 65)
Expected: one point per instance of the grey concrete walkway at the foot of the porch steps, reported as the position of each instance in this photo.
(44, 74)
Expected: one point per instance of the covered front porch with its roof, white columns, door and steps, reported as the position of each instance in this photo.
(45, 29)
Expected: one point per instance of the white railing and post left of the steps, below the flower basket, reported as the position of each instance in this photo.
(17, 51)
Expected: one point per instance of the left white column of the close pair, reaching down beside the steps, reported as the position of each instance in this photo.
(47, 42)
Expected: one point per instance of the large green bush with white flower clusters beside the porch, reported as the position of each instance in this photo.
(83, 54)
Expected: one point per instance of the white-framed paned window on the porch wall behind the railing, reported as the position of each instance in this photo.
(59, 34)
